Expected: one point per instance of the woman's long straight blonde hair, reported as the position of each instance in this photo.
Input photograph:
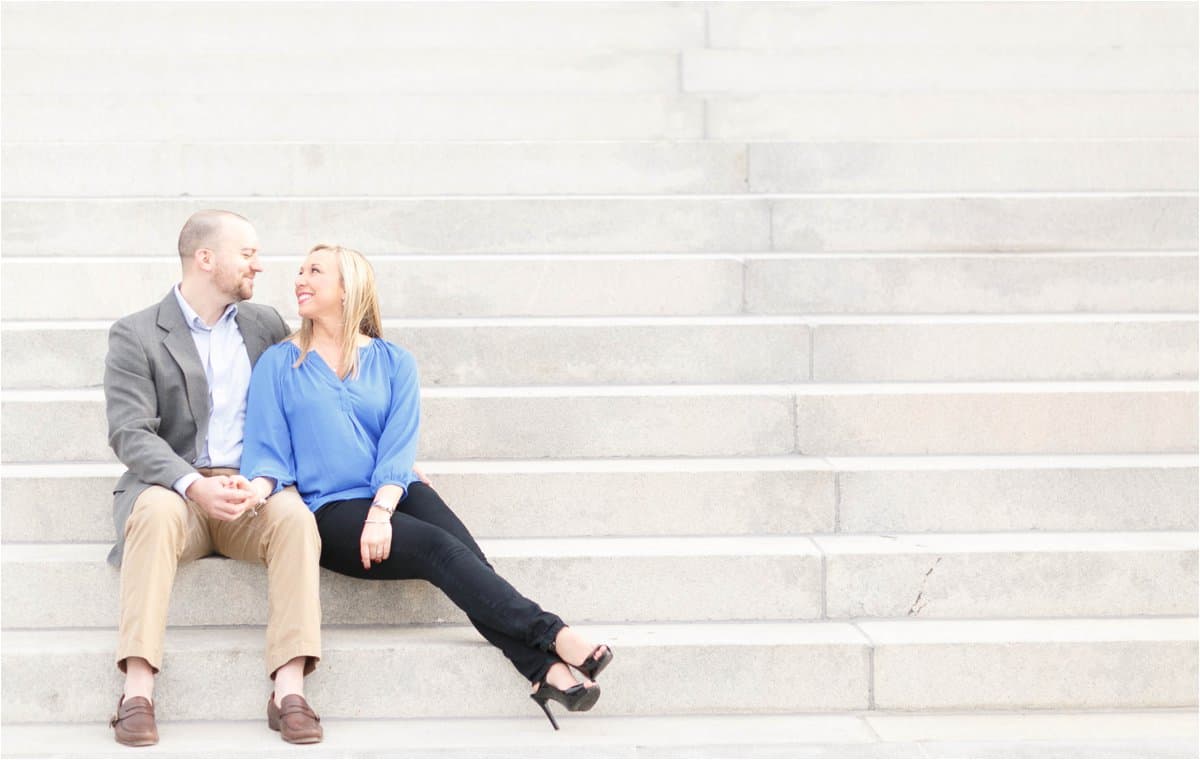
(361, 309)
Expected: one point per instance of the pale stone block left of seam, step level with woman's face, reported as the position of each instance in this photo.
(413, 286)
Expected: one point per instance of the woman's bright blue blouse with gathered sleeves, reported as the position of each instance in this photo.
(333, 439)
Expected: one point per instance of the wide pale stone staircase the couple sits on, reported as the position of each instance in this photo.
(823, 358)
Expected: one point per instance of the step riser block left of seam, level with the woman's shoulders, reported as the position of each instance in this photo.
(484, 356)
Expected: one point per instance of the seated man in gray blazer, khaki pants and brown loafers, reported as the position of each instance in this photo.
(176, 384)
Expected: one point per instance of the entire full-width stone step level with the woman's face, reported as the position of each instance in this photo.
(37, 289)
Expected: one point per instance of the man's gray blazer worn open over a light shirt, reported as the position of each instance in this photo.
(158, 398)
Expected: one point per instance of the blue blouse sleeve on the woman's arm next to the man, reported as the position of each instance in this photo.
(267, 445)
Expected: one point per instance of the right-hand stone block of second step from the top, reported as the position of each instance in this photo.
(999, 68)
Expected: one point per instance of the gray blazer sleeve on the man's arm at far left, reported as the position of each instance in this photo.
(131, 405)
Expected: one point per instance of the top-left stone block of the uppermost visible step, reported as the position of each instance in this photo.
(418, 26)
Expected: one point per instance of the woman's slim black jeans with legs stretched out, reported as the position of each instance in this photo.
(430, 543)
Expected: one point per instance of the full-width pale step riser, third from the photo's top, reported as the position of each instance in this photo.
(440, 118)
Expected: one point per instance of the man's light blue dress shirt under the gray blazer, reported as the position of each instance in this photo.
(226, 364)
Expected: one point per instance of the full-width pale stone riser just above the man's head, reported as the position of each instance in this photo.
(601, 169)
